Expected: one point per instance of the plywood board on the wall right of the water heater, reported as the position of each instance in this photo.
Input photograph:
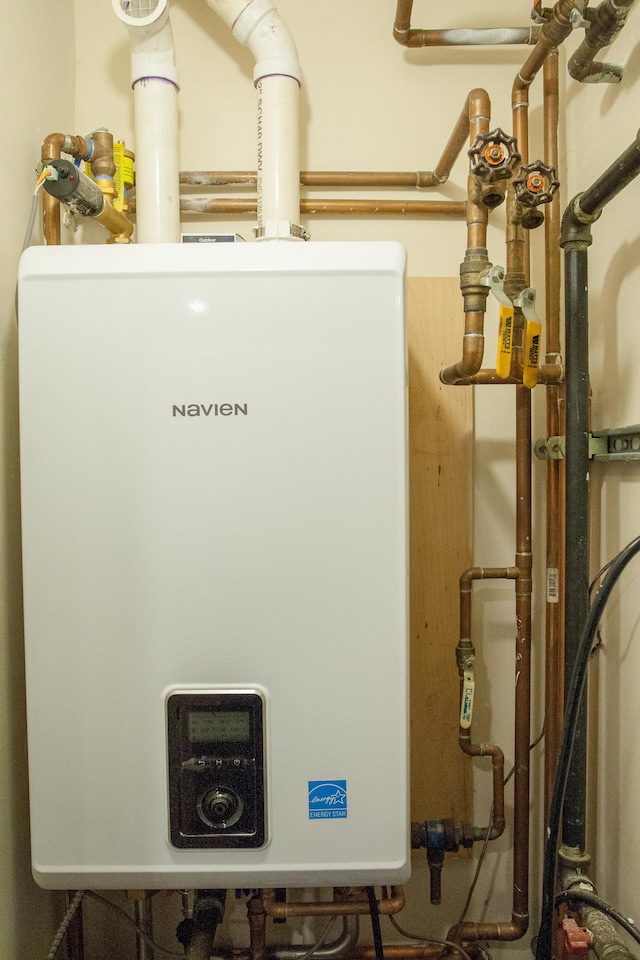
(440, 440)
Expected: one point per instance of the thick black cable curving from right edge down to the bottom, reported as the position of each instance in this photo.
(544, 947)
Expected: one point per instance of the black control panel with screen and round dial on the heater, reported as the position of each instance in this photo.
(216, 769)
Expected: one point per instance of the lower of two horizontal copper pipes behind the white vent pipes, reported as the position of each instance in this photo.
(433, 209)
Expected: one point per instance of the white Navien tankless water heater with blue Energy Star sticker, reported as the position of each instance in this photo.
(214, 529)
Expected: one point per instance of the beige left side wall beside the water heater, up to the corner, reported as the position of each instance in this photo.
(36, 78)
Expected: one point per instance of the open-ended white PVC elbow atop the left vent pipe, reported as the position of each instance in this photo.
(151, 39)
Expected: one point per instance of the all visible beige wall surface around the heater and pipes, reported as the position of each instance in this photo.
(366, 104)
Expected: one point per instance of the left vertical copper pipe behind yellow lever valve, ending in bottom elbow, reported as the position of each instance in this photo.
(476, 260)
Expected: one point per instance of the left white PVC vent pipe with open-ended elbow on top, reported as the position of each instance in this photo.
(155, 84)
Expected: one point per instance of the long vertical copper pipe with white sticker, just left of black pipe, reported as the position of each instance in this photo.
(554, 623)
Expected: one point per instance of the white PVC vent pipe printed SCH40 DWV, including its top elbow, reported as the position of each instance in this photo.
(257, 24)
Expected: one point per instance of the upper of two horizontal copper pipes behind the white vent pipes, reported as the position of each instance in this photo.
(412, 179)
